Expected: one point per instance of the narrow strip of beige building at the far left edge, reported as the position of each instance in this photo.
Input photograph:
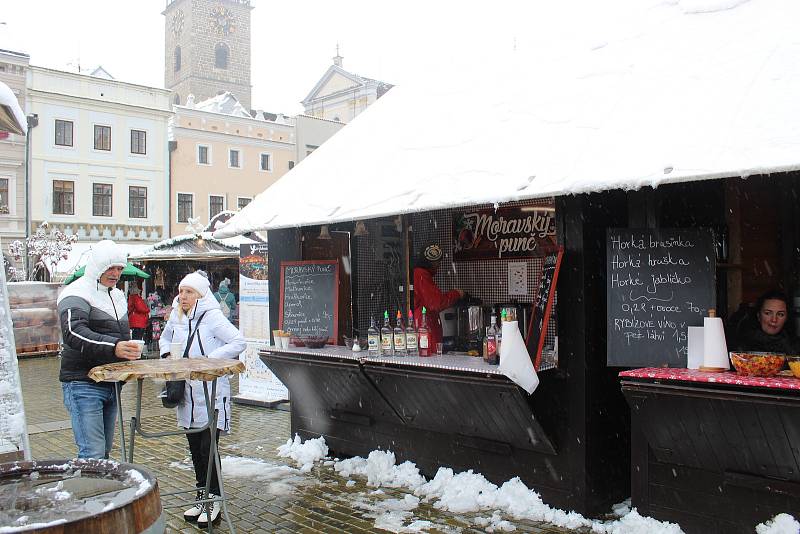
(13, 71)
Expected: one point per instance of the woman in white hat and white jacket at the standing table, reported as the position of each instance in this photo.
(196, 314)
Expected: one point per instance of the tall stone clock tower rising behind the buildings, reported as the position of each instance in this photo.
(207, 49)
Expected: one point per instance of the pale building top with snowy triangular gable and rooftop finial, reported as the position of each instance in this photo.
(341, 95)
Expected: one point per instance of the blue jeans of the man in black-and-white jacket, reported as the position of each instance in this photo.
(93, 410)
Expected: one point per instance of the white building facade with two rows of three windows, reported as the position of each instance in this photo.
(99, 158)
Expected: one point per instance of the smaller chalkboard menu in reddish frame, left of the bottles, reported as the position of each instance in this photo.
(310, 298)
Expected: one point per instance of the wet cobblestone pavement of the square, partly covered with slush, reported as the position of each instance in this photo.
(316, 502)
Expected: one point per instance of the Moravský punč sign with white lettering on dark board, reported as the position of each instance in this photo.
(518, 232)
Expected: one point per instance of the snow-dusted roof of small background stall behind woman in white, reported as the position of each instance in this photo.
(202, 246)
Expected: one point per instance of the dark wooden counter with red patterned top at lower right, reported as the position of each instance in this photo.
(716, 452)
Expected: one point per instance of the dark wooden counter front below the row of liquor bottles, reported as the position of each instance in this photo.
(451, 410)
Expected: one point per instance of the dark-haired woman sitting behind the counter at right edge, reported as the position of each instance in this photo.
(770, 334)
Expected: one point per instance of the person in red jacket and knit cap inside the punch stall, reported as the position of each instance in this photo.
(428, 294)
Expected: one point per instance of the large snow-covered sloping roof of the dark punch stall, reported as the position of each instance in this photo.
(648, 93)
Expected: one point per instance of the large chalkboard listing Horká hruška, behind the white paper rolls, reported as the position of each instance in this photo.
(659, 282)
